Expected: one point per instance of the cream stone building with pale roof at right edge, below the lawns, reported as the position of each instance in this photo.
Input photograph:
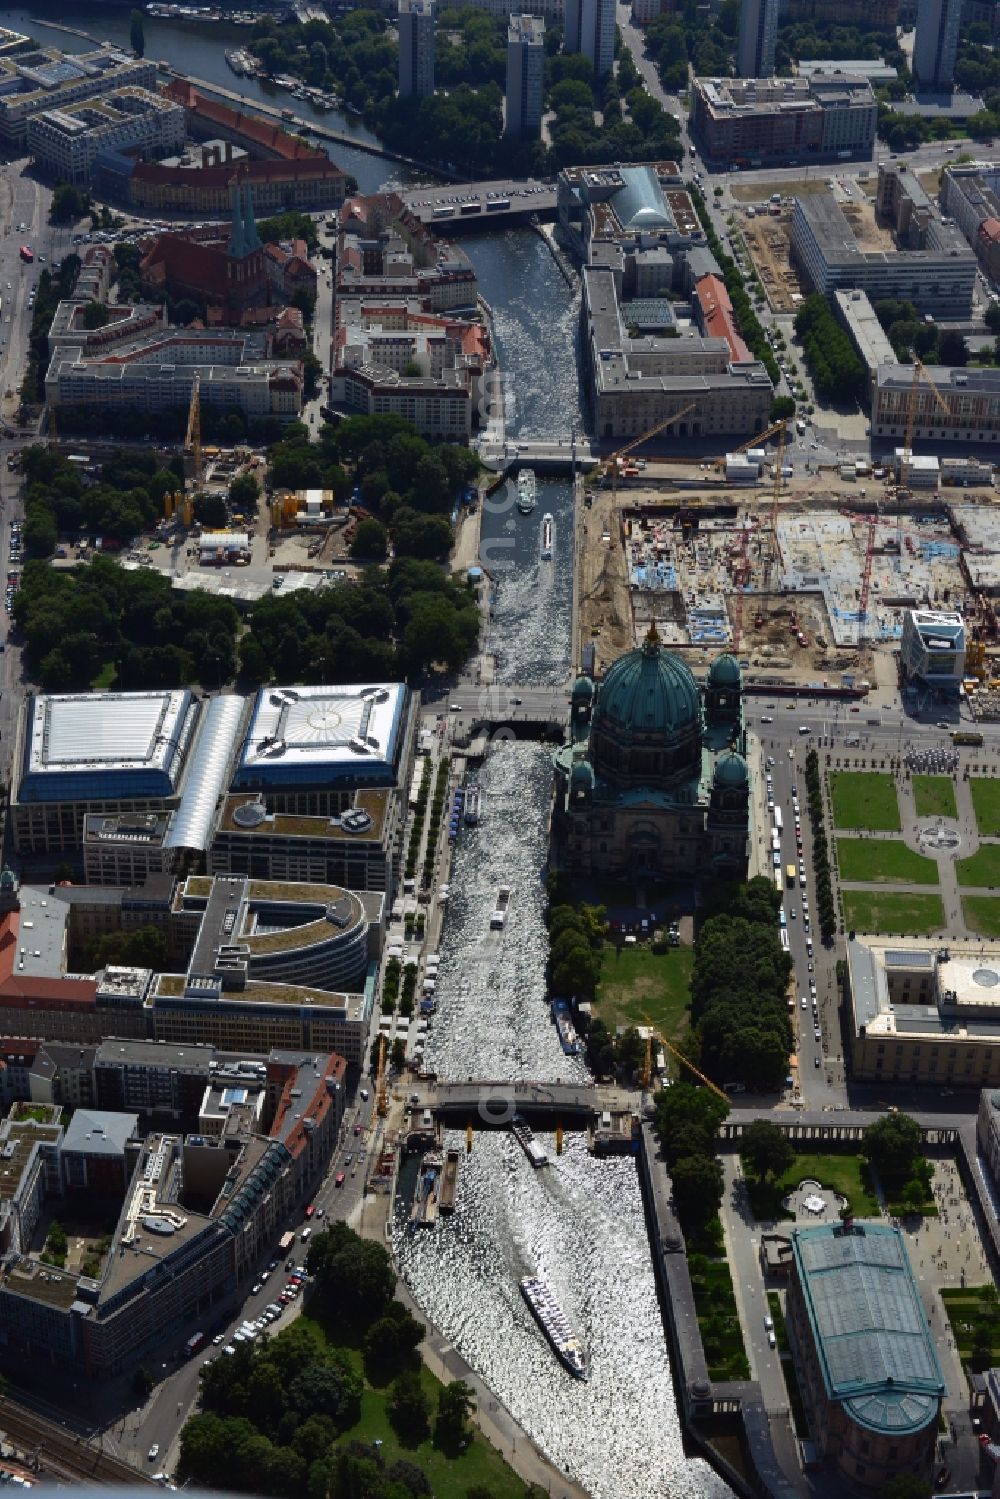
(924, 1013)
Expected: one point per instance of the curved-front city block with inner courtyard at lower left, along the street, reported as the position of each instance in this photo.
(199, 1212)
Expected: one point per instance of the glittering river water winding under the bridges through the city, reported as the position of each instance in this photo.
(579, 1222)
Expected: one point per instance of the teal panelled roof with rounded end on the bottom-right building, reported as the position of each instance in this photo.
(869, 1326)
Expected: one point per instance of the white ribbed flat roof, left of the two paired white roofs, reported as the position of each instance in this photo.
(86, 746)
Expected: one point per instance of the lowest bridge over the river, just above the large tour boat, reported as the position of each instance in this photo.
(485, 1104)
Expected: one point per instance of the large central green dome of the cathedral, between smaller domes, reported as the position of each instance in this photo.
(650, 695)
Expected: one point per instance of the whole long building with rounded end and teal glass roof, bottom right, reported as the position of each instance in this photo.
(864, 1353)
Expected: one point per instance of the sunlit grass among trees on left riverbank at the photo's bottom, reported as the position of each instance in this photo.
(449, 1477)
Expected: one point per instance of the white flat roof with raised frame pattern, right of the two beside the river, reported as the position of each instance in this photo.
(323, 735)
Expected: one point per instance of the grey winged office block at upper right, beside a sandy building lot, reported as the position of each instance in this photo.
(938, 277)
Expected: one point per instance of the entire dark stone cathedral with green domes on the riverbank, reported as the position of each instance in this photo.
(654, 780)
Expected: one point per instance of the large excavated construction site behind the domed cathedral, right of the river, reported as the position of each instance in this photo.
(675, 558)
